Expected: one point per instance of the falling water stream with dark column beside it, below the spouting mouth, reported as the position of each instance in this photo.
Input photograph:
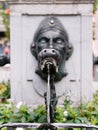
(50, 95)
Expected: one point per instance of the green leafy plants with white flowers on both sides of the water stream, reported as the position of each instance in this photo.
(84, 113)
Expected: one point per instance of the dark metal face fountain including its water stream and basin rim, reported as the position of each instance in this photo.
(52, 49)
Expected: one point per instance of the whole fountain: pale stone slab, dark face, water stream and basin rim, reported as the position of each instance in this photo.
(52, 24)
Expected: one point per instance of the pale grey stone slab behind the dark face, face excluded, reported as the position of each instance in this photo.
(26, 85)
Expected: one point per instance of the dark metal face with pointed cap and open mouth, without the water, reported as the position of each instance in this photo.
(51, 46)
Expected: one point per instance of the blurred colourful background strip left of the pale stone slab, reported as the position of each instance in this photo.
(4, 33)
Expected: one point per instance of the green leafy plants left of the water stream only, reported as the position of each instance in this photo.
(22, 114)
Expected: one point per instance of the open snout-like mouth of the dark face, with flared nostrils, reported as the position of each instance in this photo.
(49, 61)
